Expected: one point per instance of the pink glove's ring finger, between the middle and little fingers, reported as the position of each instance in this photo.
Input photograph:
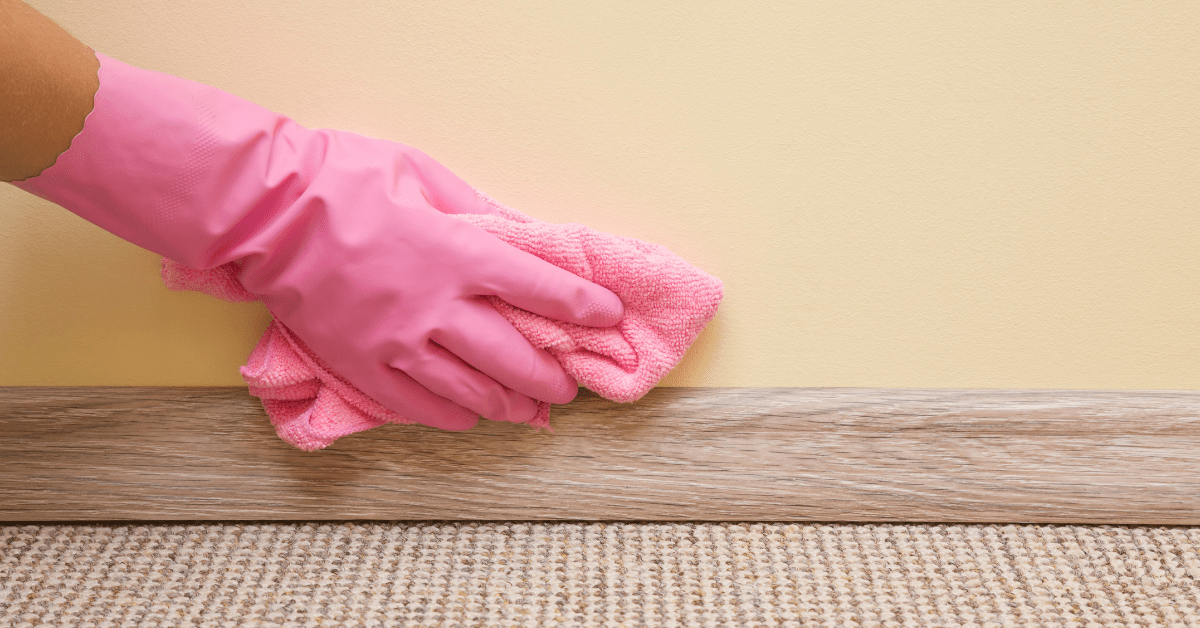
(446, 375)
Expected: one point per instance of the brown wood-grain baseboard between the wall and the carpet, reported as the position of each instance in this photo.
(734, 454)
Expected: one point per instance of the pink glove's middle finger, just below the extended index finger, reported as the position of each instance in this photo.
(484, 339)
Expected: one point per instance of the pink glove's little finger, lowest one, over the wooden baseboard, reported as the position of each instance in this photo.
(403, 394)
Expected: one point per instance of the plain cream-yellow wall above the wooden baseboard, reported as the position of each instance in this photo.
(925, 194)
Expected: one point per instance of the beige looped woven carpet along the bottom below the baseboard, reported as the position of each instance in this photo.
(598, 575)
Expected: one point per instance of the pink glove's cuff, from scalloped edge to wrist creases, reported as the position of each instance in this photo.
(181, 169)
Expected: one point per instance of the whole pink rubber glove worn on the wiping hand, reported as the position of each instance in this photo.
(344, 237)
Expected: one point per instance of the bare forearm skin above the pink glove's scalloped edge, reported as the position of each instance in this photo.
(47, 85)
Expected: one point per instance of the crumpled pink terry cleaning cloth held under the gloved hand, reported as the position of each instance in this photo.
(668, 304)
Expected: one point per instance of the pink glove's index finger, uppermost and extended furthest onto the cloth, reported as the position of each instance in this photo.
(532, 284)
